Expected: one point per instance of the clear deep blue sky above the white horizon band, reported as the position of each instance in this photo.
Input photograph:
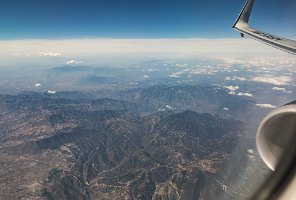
(61, 19)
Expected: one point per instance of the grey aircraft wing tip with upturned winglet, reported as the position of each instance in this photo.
(242, 25)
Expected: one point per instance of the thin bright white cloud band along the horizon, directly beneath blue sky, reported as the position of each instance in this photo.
(134, 45)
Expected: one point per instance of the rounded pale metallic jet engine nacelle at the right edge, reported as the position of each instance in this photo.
(275, 133)
